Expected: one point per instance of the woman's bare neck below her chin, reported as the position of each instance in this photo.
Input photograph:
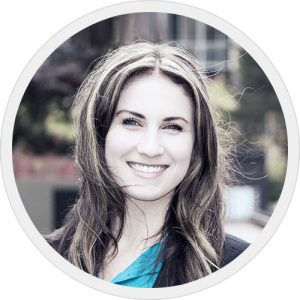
(144, 219)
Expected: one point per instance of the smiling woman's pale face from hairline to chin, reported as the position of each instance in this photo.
(149, 144)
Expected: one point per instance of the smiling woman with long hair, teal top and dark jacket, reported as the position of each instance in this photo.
(150, 211)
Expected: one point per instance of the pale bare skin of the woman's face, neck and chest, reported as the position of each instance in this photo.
(148, 149)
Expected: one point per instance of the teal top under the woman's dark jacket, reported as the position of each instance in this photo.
(143, 271)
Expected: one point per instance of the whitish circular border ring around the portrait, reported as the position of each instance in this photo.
(135, 7)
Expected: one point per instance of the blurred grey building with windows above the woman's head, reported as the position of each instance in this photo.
(215, 50)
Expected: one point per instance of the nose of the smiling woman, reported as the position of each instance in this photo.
(149, 145)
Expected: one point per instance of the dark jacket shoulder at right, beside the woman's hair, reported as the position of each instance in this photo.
(233, 247)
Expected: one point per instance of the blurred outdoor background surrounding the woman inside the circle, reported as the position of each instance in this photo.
(45, 173)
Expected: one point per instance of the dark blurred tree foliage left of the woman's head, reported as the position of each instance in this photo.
(43, 123)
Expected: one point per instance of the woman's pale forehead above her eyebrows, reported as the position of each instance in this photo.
(156, 94)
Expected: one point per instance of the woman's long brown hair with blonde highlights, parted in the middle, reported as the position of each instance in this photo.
(193, 225)
